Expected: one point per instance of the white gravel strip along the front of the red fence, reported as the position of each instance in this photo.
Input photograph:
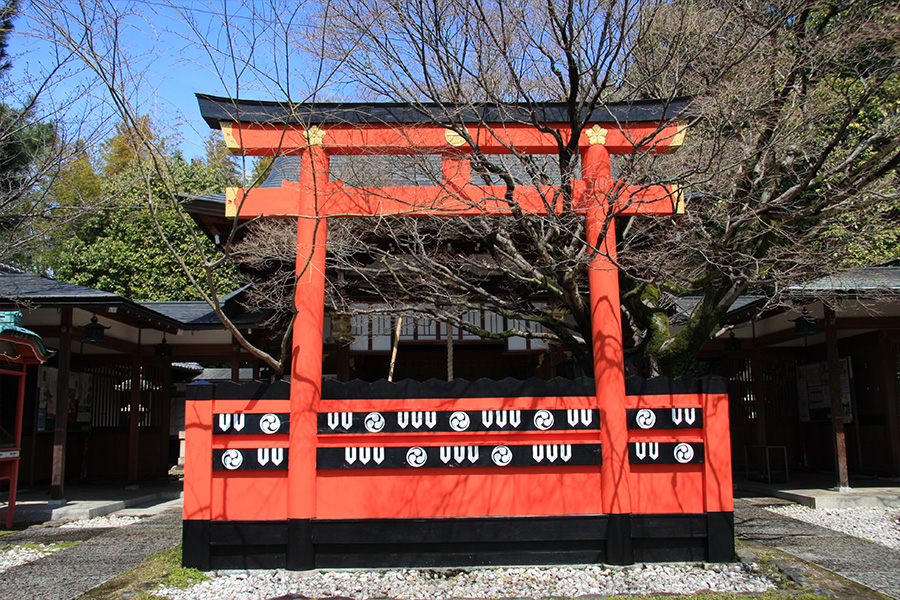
(437, 584)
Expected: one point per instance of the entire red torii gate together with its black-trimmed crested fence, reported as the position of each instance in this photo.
(312, 475)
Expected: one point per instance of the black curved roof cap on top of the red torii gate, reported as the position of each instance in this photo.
(216, 109)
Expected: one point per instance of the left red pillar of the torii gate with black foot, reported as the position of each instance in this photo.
(306, 359)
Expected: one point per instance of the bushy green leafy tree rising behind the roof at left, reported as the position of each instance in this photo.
(119, 248)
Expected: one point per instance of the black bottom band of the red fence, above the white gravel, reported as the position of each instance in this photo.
(300, 544)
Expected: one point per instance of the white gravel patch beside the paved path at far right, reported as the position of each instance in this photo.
(880, 525)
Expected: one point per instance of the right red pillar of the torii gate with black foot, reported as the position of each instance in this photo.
(609, 363)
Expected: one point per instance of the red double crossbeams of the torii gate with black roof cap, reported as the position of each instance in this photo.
(260, 128)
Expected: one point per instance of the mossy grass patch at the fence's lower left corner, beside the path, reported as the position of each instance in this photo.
(161, 568)
